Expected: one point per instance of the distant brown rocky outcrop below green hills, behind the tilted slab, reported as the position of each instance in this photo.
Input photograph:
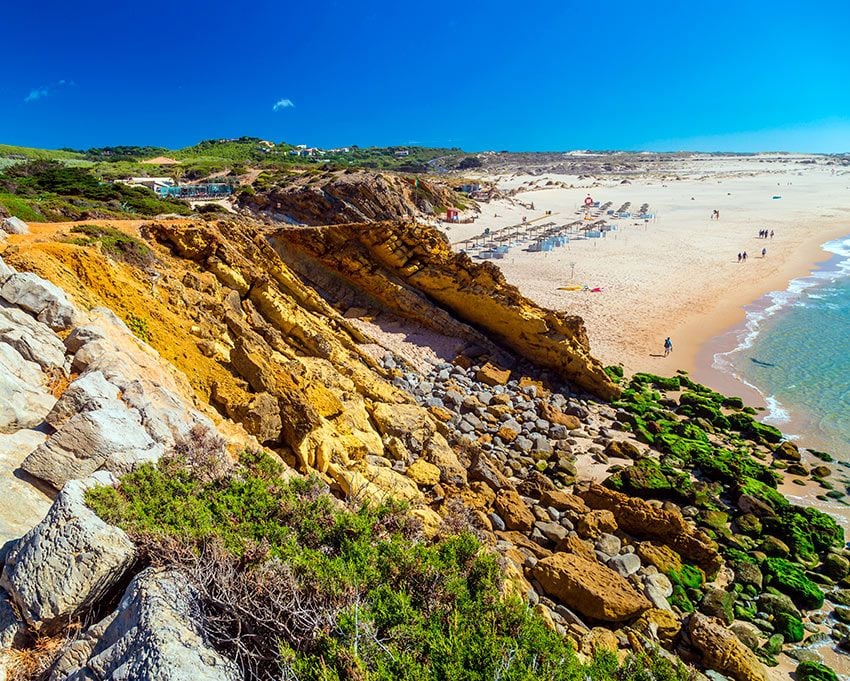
(349, 196)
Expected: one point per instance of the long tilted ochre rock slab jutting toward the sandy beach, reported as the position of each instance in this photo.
(412, 270)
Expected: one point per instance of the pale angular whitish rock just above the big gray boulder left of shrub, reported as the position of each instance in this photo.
(112, 438)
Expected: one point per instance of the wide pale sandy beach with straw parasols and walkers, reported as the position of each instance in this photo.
(676, 275)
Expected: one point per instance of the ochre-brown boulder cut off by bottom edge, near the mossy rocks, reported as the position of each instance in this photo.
(722, 651)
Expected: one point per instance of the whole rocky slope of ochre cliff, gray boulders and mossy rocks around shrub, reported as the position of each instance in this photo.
(237, 336)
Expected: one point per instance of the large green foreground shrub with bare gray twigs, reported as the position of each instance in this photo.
(334, 591)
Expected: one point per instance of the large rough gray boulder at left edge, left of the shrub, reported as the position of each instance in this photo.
(67, 562)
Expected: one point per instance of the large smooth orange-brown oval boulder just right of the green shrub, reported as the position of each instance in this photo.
(589, 587)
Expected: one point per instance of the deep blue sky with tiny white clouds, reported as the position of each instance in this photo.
(541, 75)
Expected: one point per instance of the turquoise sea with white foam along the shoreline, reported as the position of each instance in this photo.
(795, 350)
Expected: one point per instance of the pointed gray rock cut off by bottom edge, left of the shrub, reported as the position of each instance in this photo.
(156, 634)
